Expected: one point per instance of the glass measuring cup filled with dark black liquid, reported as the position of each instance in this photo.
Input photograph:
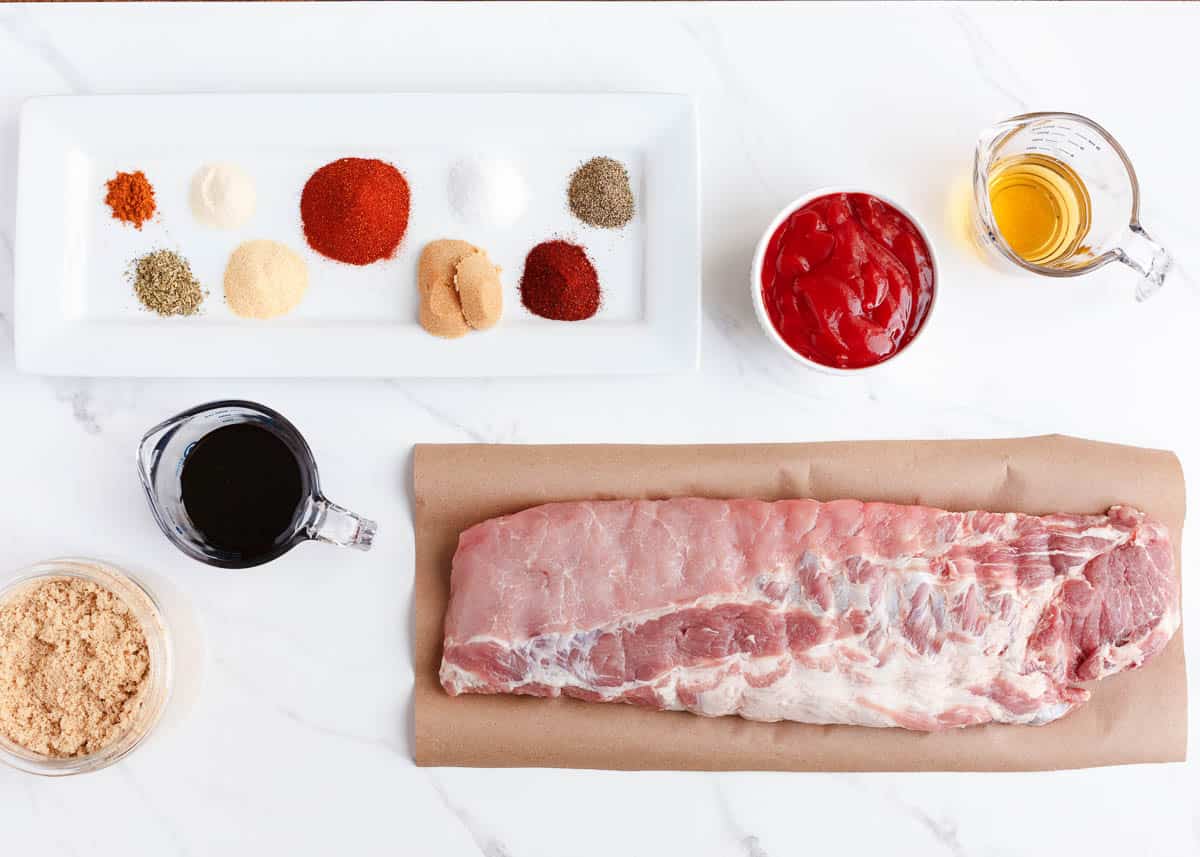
(233, 484)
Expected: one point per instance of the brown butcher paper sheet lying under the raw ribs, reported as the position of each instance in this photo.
(1136, 717)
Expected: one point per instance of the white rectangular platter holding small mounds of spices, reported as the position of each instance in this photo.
(76, 311)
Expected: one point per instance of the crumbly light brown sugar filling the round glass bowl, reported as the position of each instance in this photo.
(74, 668)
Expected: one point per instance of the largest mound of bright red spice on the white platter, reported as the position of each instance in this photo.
(356, 211)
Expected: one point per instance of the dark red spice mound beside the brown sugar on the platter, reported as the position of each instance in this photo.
(560, 283)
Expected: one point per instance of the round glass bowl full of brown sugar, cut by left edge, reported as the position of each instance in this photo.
(86, 667)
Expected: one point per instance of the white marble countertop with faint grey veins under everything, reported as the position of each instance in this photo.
(292, 730)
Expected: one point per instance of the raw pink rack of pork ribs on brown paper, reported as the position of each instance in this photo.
(844, 613)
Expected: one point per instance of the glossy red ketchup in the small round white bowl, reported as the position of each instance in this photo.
(848, 280)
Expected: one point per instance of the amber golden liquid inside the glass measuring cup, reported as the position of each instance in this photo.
(1041, 206)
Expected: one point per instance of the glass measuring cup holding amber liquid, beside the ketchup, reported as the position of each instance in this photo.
(1057, 195)
